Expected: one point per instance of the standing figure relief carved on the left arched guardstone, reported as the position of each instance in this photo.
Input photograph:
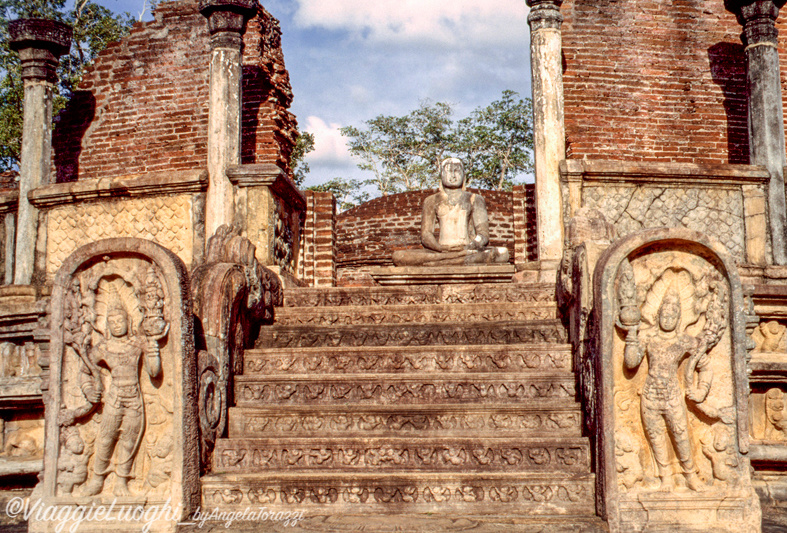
(111, 349)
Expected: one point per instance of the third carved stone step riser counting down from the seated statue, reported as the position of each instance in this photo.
(541, 331)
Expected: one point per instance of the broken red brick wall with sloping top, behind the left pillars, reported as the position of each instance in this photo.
(143, 104)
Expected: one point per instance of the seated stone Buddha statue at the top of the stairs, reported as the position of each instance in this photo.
(464, 226)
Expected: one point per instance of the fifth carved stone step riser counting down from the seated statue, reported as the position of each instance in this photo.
(398, 389)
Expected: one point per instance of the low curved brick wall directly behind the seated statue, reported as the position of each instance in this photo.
(367, 235)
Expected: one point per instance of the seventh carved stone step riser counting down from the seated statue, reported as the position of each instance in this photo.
(396, 454)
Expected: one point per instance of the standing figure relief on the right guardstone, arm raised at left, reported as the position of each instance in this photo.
(666, 344)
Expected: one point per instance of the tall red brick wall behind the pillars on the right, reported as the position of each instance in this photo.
(655, 80)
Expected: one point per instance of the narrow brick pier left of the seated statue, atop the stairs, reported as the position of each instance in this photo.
(317, 265)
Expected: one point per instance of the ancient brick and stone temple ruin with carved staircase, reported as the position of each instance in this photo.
(179, 321)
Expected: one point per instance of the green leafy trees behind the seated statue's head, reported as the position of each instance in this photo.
(404, 152)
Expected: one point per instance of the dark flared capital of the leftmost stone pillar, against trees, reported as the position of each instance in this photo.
(40, 43)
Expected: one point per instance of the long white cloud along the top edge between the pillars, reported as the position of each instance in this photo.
(452, 23)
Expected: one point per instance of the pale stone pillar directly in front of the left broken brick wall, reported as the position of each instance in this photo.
(226, 23)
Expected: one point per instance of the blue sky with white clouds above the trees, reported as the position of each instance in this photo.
(351, 60)
